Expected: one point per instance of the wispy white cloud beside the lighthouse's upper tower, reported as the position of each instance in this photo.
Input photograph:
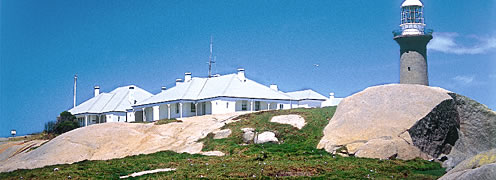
(445, 42)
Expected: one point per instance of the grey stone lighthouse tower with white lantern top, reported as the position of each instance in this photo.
(413, 39)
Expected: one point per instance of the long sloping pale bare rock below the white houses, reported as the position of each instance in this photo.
(117, 140)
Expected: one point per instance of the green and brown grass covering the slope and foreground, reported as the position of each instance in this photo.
(295, 157)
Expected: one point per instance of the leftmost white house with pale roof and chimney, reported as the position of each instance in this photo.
(109, 107)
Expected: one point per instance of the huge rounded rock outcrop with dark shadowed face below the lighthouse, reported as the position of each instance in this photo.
(408, 121)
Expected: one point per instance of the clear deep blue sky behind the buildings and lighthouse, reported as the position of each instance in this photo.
(151, 43)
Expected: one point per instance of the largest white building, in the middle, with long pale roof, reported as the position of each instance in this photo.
(215, 95)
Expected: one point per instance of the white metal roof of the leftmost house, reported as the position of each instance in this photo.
(118, 100)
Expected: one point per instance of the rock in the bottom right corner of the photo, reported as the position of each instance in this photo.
(479, 167)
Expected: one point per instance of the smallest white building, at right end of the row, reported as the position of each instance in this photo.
(307, 98)
